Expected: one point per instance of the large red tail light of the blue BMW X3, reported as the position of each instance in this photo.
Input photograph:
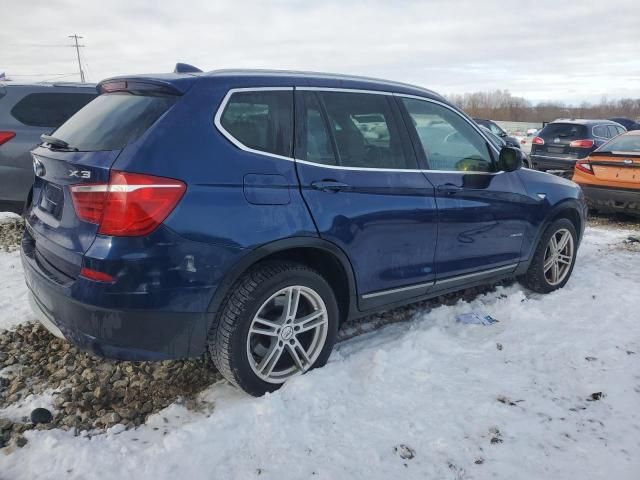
(131, 204)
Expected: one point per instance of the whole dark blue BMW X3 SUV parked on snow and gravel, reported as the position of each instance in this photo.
(249, 213)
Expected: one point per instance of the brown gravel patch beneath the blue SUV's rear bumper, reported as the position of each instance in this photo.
(89, 392)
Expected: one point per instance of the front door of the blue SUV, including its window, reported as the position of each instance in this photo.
(482, 213)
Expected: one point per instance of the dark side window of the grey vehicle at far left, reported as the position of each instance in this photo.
(49, 109)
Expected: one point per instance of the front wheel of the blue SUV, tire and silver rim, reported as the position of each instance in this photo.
(553, 259)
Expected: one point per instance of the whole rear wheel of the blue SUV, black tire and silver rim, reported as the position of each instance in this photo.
(278, 321)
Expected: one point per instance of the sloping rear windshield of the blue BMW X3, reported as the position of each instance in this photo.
(112, 121)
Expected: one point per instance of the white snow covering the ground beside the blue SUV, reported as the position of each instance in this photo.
(511, 400)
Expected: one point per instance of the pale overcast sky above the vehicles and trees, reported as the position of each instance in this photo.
(542, 50)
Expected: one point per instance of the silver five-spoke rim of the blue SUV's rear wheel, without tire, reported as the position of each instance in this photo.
(287, 334)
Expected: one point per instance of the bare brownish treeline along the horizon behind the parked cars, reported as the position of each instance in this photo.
(501, 105)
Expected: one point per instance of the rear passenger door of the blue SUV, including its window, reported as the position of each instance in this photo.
(360, 180)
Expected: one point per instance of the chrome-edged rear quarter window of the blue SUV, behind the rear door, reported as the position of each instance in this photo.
(261, 120)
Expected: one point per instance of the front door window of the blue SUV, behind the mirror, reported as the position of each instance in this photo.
(448, 140)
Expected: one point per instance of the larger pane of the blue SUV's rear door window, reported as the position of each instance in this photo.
(365, 130)
